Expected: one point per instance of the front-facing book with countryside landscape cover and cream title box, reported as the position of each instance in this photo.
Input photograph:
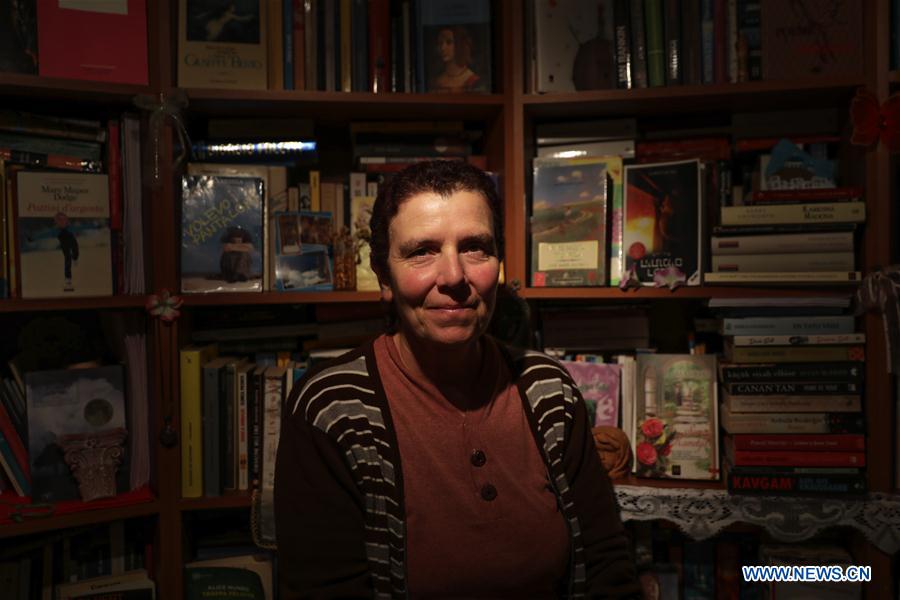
(568, 222)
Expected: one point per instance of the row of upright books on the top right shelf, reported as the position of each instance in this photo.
(647, 43)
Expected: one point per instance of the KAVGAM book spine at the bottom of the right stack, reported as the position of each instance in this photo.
(789, 484)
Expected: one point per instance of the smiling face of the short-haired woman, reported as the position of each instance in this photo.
(443, 268)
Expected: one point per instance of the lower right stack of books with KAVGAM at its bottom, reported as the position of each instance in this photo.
(792, 389)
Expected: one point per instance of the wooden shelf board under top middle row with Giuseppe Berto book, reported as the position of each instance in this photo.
(342, 106)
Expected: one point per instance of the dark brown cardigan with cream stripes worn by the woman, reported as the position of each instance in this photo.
(339, 485)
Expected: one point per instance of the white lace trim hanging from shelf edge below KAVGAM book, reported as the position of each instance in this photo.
(704, 513)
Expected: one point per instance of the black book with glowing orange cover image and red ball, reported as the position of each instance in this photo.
(662, 235)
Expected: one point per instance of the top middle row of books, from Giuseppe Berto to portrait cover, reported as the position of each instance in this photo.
(349, 45)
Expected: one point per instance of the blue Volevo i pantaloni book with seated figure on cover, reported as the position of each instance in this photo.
(221, 234)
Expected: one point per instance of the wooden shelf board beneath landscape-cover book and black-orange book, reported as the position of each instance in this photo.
(646, 293)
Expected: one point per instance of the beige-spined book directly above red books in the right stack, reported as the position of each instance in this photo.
(820, 422)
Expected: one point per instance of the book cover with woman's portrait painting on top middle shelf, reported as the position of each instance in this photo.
(453, 49)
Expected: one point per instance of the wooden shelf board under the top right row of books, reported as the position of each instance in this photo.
(671, 100)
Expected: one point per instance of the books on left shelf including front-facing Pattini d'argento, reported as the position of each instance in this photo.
(72, 216)
